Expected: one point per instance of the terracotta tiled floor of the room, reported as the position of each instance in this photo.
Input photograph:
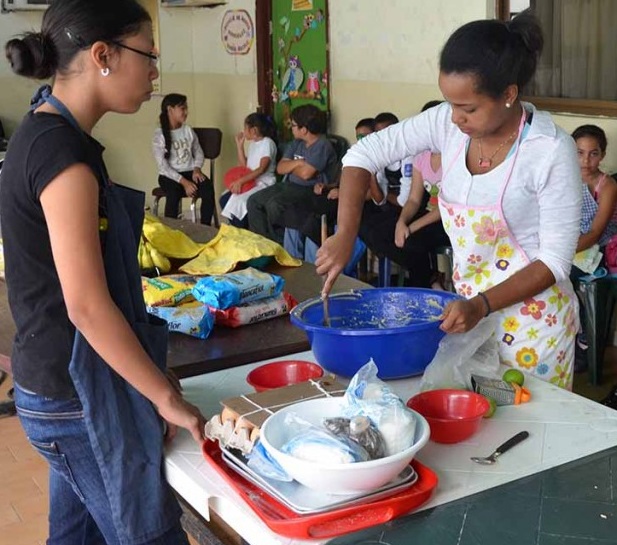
(23, 475)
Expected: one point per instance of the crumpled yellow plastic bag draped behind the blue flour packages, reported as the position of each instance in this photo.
(232, 246)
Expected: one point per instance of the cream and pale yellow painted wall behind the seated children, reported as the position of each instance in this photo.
(387, 67)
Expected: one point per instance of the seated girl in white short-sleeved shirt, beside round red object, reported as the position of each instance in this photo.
(260, 132)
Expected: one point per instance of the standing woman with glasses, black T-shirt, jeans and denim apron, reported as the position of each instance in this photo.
(91, 389)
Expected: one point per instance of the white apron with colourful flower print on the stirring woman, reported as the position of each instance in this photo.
(536, 335)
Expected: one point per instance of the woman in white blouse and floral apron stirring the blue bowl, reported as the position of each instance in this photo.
(510, 199)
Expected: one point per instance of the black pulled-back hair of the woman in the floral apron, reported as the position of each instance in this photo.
(497, 53)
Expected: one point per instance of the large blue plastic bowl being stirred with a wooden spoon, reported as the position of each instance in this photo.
(397, 327)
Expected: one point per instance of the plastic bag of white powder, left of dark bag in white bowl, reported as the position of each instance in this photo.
(316, 444)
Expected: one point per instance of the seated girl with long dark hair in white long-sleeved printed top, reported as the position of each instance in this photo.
(179, 158)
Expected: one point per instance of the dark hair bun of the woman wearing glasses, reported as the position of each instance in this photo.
(33, 56)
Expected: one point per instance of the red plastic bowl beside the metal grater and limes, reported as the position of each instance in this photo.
(453, 415)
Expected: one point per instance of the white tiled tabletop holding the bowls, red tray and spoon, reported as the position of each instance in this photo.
(563, 427)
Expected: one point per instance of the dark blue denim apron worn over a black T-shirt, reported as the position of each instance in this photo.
(125, 430)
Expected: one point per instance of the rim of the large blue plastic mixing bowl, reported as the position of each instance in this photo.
(296, 312)
